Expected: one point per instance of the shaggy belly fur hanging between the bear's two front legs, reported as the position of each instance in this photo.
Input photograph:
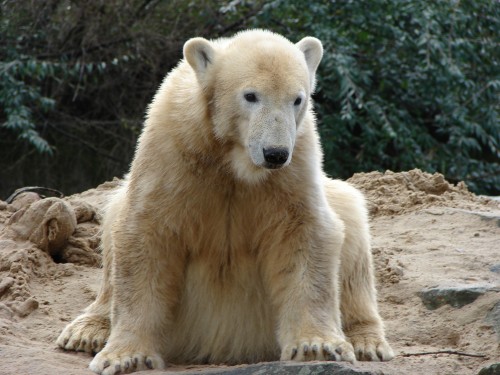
(227, 309)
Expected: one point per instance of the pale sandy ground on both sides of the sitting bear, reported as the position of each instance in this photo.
(426, 232)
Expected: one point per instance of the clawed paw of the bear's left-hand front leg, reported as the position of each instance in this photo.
(125, 360)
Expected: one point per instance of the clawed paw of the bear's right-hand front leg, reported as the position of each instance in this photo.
(318, 349)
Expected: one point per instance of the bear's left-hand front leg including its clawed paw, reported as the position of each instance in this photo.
(147, 278)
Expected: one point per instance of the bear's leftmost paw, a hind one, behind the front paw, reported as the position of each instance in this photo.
(87, 333)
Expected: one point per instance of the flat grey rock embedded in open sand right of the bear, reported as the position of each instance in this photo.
(456, 296)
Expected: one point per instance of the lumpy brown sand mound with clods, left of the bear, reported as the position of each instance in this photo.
(40, 239)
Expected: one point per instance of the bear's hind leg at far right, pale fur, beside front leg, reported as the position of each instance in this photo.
(362, 323)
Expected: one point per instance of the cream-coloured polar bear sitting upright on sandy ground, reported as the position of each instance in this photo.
(227, 243)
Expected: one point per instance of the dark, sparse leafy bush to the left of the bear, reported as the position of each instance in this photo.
(76, 77)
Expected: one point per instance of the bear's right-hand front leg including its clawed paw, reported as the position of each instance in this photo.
(301, 276)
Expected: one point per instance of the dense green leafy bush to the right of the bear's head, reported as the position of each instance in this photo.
(405, 84)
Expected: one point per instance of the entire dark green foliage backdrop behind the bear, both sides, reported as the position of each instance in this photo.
(403, 83)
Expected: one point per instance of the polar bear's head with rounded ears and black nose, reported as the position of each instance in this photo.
(257, 87)
